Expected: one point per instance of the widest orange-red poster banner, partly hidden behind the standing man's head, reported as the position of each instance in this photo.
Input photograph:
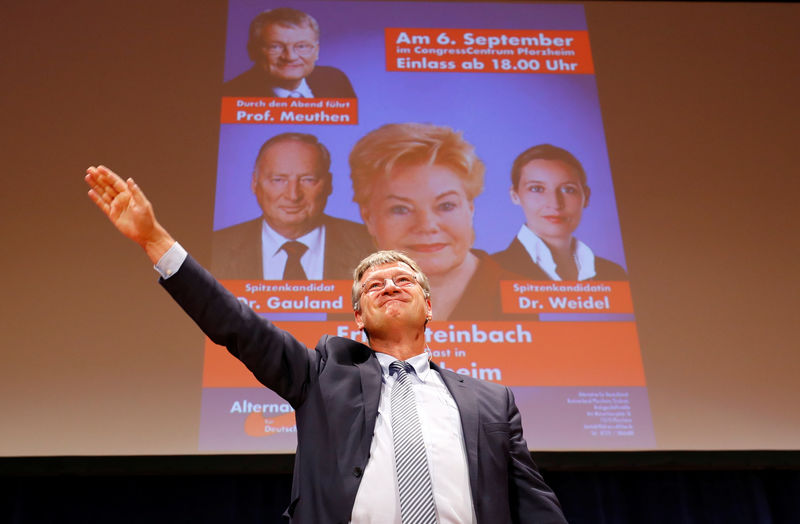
(510, 353)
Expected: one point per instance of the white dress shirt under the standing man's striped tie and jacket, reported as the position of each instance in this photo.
(377, 500)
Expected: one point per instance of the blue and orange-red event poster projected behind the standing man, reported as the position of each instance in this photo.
(420, 113)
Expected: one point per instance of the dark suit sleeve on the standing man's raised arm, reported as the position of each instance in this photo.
(275, 357)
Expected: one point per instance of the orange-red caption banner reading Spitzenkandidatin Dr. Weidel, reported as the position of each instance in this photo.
(565, 297)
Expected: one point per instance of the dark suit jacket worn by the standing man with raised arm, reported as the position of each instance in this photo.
(335, 391)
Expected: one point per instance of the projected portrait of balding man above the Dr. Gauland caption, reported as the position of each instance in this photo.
(293, 239)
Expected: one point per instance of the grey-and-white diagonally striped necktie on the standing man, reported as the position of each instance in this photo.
(411, 463)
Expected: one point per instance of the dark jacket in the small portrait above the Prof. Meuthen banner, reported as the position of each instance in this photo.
(324, 81)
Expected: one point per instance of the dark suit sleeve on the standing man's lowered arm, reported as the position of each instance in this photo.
(530, 498)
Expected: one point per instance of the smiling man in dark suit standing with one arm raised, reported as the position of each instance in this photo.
(359, 408)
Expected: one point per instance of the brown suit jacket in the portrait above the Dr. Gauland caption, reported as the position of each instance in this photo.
(237, 254)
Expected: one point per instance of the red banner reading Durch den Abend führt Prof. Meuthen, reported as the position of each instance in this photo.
(254, 110)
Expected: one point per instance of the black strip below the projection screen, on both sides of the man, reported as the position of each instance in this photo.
(704, 488)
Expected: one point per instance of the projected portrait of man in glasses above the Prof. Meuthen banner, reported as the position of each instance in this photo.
(283, 44)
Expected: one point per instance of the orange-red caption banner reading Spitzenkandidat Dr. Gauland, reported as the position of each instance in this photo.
(287, 296)
